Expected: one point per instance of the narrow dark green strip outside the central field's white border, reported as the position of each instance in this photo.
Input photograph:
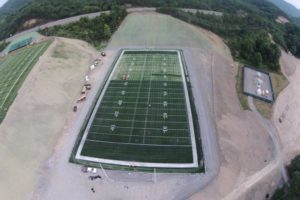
(200, 169)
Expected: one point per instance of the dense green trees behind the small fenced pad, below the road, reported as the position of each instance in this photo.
(246, 40)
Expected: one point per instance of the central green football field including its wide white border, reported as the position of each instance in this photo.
(143, 116)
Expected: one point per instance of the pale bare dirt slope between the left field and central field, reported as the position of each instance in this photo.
(38, 115)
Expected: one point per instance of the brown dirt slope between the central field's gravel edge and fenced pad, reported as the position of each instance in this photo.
(246, 149)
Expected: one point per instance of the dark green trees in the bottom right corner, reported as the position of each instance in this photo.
(291, 192)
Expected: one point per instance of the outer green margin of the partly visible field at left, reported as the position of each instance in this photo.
(12, 97)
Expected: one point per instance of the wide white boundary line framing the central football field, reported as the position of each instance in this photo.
(129, 163)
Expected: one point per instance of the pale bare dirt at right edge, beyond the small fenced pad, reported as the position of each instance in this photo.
(287, 107)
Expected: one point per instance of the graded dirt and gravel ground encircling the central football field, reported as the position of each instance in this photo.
(247, 169)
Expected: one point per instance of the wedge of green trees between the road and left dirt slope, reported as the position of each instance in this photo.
(93, 31)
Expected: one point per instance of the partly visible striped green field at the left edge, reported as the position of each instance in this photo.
(14, 68)
